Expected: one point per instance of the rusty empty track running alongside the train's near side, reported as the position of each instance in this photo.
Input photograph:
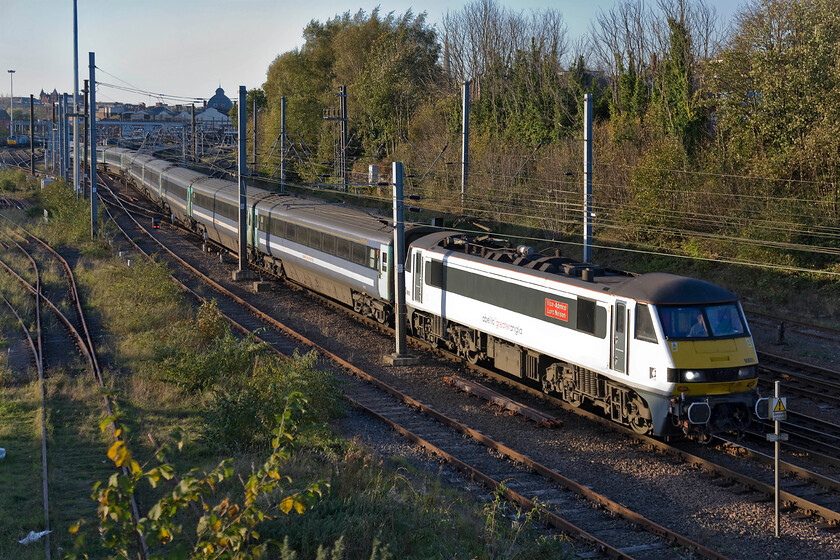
(521, 479)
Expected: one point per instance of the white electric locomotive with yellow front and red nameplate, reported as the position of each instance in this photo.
(657, 352)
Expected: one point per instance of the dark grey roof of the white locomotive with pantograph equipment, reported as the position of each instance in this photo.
(657, 288)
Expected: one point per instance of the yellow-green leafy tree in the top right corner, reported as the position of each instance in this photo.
(776, 82)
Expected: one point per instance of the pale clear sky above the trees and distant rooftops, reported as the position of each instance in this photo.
(189, 48)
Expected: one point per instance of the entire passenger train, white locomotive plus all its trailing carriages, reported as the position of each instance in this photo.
(659, 353)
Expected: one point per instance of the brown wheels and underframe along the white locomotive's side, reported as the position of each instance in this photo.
(573, 384)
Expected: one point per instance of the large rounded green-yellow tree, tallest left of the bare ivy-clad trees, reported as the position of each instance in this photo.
(388, 64)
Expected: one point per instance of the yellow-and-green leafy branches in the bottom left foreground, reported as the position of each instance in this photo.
(227, 527)
